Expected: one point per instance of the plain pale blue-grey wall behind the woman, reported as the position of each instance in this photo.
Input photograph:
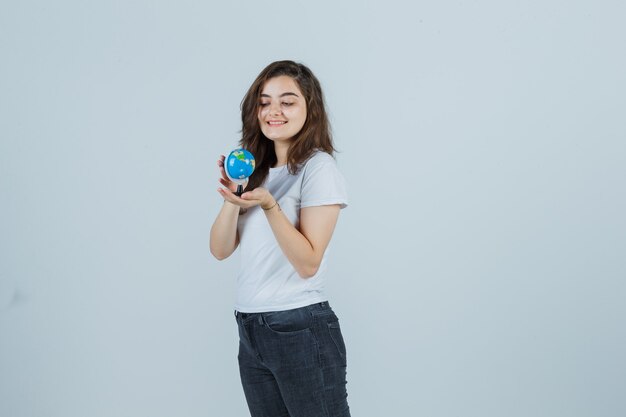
(479, 270)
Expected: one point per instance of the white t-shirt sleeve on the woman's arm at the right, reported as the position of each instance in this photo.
(322, 183)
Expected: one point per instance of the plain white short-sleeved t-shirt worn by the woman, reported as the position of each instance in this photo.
(267, 281)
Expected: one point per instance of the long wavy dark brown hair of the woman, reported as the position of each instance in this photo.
(315, 134)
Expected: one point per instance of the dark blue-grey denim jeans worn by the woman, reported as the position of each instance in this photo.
(293, 363)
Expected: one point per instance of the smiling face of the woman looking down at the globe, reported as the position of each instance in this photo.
(282, 109)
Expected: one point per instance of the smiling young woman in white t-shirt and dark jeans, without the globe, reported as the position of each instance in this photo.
(292, 357)
